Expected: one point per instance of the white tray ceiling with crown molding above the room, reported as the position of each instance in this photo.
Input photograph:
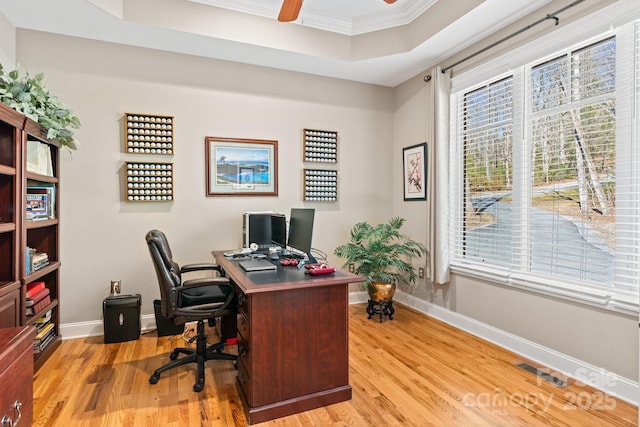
(368, 41)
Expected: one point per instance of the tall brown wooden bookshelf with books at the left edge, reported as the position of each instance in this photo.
(17, 233)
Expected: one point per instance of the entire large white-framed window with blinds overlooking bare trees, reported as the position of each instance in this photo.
(545, 171)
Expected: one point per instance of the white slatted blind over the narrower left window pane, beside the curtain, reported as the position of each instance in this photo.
(486, 132)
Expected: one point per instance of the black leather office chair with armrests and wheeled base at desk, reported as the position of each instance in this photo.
(190, 300)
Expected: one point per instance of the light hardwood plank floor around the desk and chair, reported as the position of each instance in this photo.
(411, 371)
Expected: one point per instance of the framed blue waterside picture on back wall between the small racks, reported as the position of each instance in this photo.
(241, 167)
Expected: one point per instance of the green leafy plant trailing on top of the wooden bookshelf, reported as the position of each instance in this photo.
(29, 96)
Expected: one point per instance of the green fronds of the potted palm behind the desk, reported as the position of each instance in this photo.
(381, 253)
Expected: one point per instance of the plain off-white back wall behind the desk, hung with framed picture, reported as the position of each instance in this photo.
(102, 237)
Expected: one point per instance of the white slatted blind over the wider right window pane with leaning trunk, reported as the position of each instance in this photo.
(572, 146)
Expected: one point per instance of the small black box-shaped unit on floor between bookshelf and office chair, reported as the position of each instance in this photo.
(121, 318)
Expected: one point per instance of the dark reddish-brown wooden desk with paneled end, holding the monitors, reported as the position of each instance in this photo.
(293, 339)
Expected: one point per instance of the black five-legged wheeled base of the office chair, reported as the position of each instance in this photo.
(201, 354)
